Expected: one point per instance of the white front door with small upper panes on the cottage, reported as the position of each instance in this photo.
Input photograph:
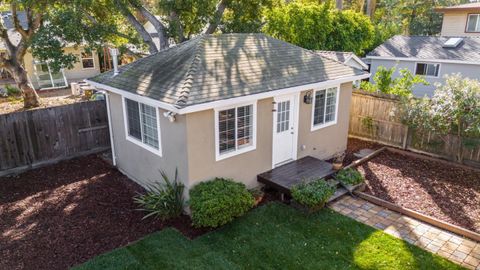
(284, 129)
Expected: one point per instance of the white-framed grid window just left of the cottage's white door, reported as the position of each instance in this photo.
(235, 130)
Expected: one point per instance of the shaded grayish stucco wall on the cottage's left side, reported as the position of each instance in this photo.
(142, 165)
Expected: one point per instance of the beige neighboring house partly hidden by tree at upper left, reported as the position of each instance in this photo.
(39, 73)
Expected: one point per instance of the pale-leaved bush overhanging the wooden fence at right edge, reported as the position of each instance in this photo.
(453, 109)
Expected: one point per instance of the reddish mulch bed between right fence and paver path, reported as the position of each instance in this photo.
(446, 192)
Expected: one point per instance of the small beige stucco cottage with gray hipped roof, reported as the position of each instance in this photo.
(226, 106)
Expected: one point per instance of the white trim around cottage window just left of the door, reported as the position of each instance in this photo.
(252, 147)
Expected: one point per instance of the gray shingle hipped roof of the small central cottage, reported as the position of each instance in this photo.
(215, 67)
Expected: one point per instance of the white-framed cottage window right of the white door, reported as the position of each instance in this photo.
(325, 106)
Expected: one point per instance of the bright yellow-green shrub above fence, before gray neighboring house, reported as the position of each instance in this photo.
(400, 86)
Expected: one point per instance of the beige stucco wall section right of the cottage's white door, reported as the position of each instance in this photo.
(328, 141)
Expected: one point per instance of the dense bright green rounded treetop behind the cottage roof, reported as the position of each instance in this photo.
(319, 27)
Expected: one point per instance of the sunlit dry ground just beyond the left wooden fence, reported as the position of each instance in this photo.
(48, 98)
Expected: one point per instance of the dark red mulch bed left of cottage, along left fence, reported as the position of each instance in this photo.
(62, 215)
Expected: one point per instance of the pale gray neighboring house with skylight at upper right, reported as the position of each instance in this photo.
(456, 51)
